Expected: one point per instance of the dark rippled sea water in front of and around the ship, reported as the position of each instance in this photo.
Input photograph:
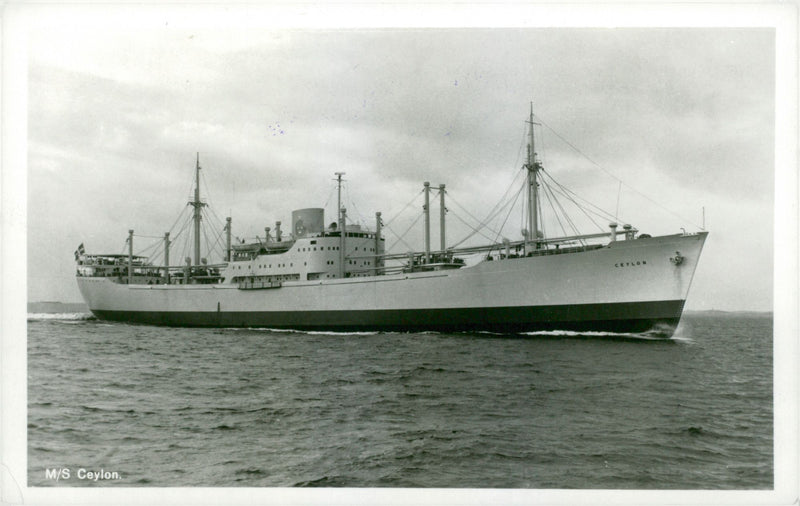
(152, 406)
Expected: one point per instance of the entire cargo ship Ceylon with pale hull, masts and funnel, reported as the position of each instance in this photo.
(339, 277)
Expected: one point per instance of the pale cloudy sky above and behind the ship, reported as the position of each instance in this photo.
(118, 106)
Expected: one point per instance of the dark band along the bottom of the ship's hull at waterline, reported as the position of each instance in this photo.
(660, 317)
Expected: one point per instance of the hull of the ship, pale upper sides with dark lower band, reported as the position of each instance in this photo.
(628, 287)
